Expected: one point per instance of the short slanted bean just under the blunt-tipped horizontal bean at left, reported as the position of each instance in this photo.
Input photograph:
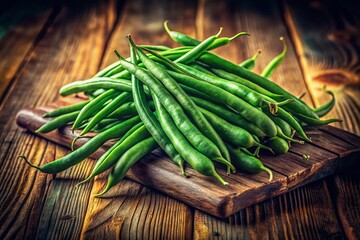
(93, 106)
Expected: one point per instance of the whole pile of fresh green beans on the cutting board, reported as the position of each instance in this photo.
(200, 108)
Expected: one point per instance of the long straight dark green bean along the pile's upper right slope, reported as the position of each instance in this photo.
(219, 62)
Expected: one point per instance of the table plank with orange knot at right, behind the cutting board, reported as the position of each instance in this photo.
(327, 42)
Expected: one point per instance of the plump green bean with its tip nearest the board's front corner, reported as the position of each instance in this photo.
(194, 158)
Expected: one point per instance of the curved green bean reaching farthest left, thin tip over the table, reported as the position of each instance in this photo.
(87, 149)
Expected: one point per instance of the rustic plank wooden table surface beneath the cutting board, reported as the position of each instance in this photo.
(45, 46)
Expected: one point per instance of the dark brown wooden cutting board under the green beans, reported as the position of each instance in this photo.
(332, 149)
